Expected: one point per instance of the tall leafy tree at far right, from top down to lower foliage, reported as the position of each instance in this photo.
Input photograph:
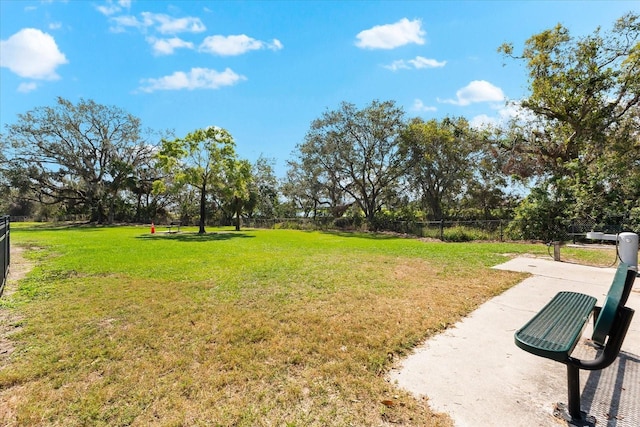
(581, 134)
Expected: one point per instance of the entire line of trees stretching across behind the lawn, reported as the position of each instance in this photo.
(574, 145)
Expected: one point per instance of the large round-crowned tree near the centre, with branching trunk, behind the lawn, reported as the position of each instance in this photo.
(356, 152)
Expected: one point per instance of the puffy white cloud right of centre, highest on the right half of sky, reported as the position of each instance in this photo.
(390, 36)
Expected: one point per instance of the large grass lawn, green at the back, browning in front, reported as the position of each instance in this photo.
(254, 328)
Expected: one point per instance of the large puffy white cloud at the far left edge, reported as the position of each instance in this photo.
(30, 53)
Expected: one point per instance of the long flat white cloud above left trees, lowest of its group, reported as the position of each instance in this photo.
(197, 78)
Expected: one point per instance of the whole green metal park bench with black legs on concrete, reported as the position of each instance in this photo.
(555, 330)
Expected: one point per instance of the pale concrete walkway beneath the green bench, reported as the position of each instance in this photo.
(476, 374)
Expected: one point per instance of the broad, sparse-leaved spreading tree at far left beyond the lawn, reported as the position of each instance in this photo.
(79, 155)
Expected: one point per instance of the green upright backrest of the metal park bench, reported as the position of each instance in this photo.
(617, 297)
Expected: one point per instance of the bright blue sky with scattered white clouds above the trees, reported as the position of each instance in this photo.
(265, 69)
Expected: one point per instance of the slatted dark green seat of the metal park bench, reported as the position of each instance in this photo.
(554, 332)
